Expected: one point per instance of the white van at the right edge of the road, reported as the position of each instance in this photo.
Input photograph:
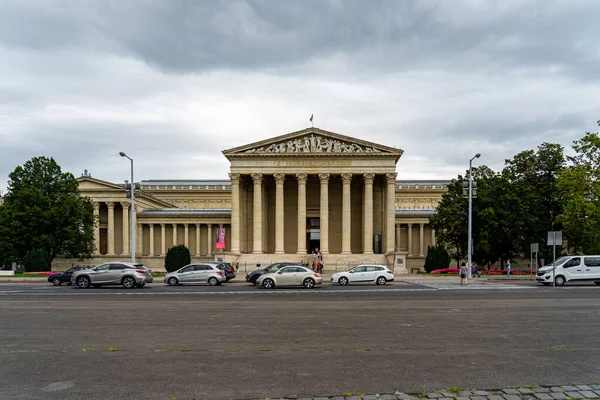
(571, 269)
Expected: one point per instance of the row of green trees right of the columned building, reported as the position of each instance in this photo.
(536, 192)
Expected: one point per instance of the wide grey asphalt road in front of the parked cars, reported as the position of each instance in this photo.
(239, 342)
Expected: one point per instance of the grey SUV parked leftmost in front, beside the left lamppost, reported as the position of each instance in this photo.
(115, 273)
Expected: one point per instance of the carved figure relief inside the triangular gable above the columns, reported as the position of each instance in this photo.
(313, 144)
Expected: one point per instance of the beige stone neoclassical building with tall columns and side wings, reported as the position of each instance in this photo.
(285, 197)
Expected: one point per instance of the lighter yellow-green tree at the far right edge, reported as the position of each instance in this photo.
(580, 185)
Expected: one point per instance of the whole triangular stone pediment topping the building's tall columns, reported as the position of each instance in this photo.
(312, 141)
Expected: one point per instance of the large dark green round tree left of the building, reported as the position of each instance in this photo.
(44, 210)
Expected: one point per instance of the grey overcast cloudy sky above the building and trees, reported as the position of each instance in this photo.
(173, 83)
